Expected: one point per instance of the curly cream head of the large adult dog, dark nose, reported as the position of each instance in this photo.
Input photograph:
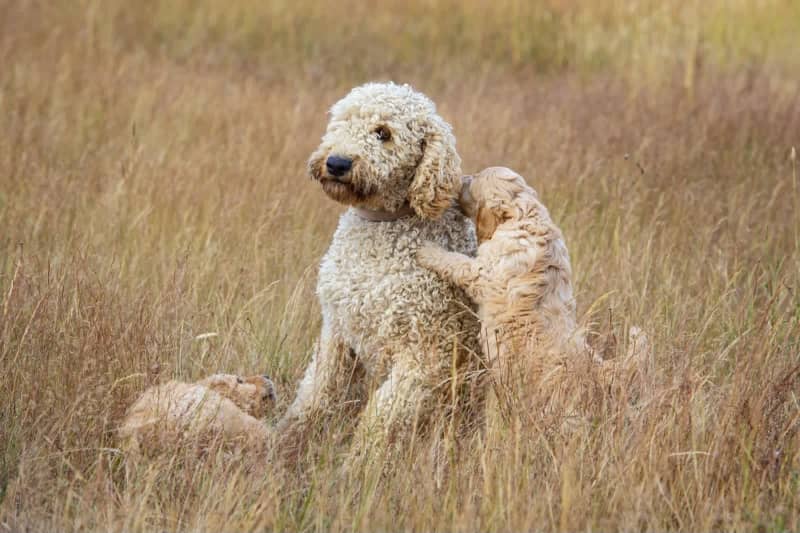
(386, 147)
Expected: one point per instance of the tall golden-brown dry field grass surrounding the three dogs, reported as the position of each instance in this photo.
(153, 189)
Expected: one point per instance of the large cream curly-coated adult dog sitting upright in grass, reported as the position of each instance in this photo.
(391, 329)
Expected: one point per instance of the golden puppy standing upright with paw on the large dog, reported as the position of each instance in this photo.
(520, 279)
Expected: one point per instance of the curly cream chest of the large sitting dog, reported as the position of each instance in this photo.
(373, 292)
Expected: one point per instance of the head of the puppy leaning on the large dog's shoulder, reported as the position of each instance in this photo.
(491, 197)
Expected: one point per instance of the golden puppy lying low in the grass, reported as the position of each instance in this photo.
(222, 409)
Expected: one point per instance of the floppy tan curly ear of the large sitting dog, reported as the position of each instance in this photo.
(437, 180)
